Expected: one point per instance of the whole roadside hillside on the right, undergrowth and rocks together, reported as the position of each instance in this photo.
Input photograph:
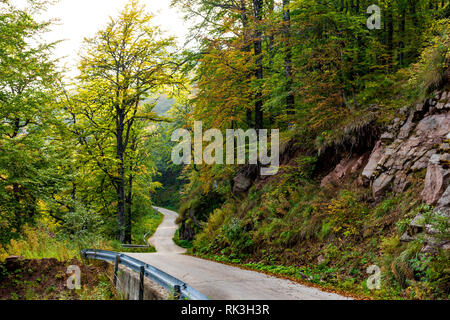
(385, 204)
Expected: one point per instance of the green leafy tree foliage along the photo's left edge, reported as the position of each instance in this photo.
(31, 148)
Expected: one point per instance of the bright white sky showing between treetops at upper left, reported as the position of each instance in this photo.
(83, 18)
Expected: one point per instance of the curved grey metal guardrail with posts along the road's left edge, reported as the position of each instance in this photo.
(180, 289)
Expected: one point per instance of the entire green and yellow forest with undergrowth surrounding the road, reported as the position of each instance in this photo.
(86, 158)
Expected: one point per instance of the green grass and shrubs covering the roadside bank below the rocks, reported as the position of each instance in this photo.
(329, 238)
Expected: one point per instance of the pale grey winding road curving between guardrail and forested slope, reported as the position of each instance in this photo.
(219, 281)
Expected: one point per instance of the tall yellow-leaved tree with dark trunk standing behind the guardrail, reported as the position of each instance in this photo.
(122, 65)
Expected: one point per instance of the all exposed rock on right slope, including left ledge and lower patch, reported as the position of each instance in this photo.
(419, 139)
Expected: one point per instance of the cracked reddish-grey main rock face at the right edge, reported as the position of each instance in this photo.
(412, 145)
